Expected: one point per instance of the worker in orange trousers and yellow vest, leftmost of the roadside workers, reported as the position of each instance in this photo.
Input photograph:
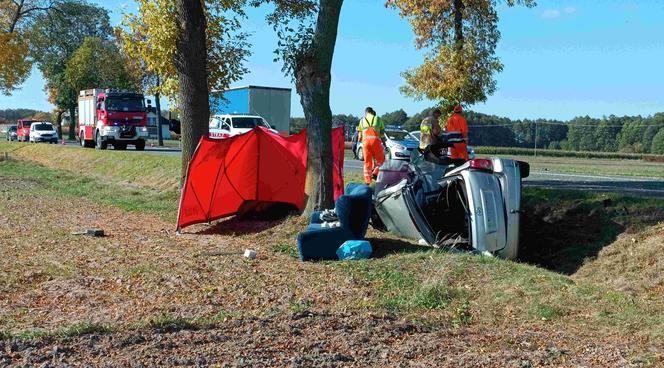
(370, 132)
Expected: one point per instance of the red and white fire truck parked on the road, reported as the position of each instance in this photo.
(112, 117)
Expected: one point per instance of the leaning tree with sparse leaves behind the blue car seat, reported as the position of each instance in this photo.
(307, 32)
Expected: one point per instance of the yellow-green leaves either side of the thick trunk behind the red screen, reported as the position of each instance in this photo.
(150, 36)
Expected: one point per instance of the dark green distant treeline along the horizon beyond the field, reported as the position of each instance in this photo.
(628, 134)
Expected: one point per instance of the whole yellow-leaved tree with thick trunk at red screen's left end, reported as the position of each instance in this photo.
(160, 37)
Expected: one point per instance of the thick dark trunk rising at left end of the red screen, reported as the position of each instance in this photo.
(190, 64)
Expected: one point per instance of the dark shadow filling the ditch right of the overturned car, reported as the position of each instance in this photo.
(560, 230)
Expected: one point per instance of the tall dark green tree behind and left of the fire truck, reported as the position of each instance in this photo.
(55, 37)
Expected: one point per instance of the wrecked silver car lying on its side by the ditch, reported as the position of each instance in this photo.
(445, 203)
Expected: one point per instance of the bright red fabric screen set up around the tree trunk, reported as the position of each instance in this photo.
(259, 166)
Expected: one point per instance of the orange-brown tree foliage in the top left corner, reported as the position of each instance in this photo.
(16, 17)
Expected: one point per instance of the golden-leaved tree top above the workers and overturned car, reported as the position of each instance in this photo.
(460, 38)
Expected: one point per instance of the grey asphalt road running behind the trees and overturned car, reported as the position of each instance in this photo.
(635, 186)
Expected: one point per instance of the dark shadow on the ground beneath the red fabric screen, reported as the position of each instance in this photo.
(253, 218)
